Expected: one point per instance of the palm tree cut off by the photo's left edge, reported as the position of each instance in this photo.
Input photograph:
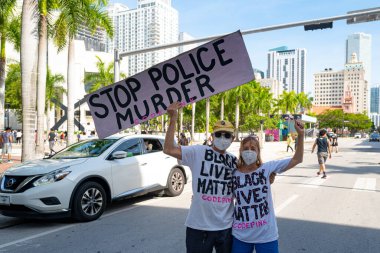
(6, 12)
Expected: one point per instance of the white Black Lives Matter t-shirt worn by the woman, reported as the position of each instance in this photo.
(254, 217)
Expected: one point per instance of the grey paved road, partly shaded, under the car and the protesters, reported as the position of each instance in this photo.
(338, 214)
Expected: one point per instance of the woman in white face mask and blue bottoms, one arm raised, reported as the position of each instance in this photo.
(254, 226)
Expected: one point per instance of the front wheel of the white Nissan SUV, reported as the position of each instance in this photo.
(89, 202)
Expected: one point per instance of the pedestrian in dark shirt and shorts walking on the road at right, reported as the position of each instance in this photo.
(323, 151)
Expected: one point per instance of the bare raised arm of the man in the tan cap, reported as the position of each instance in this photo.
(169, 147)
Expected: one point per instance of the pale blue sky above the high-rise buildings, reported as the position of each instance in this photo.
(325, 48)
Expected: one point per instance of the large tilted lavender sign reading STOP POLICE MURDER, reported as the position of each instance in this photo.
(204, 71)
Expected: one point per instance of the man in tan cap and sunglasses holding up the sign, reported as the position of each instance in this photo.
(209, 219)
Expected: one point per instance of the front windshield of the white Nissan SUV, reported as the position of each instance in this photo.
(90, 148)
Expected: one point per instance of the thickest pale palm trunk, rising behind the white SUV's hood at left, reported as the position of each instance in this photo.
(29, 47)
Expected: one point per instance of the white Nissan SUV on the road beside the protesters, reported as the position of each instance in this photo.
(81, 180)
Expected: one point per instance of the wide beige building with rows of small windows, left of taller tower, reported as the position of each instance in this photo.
(328, 87)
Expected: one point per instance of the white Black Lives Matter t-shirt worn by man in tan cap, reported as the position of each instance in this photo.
(212, 203)
